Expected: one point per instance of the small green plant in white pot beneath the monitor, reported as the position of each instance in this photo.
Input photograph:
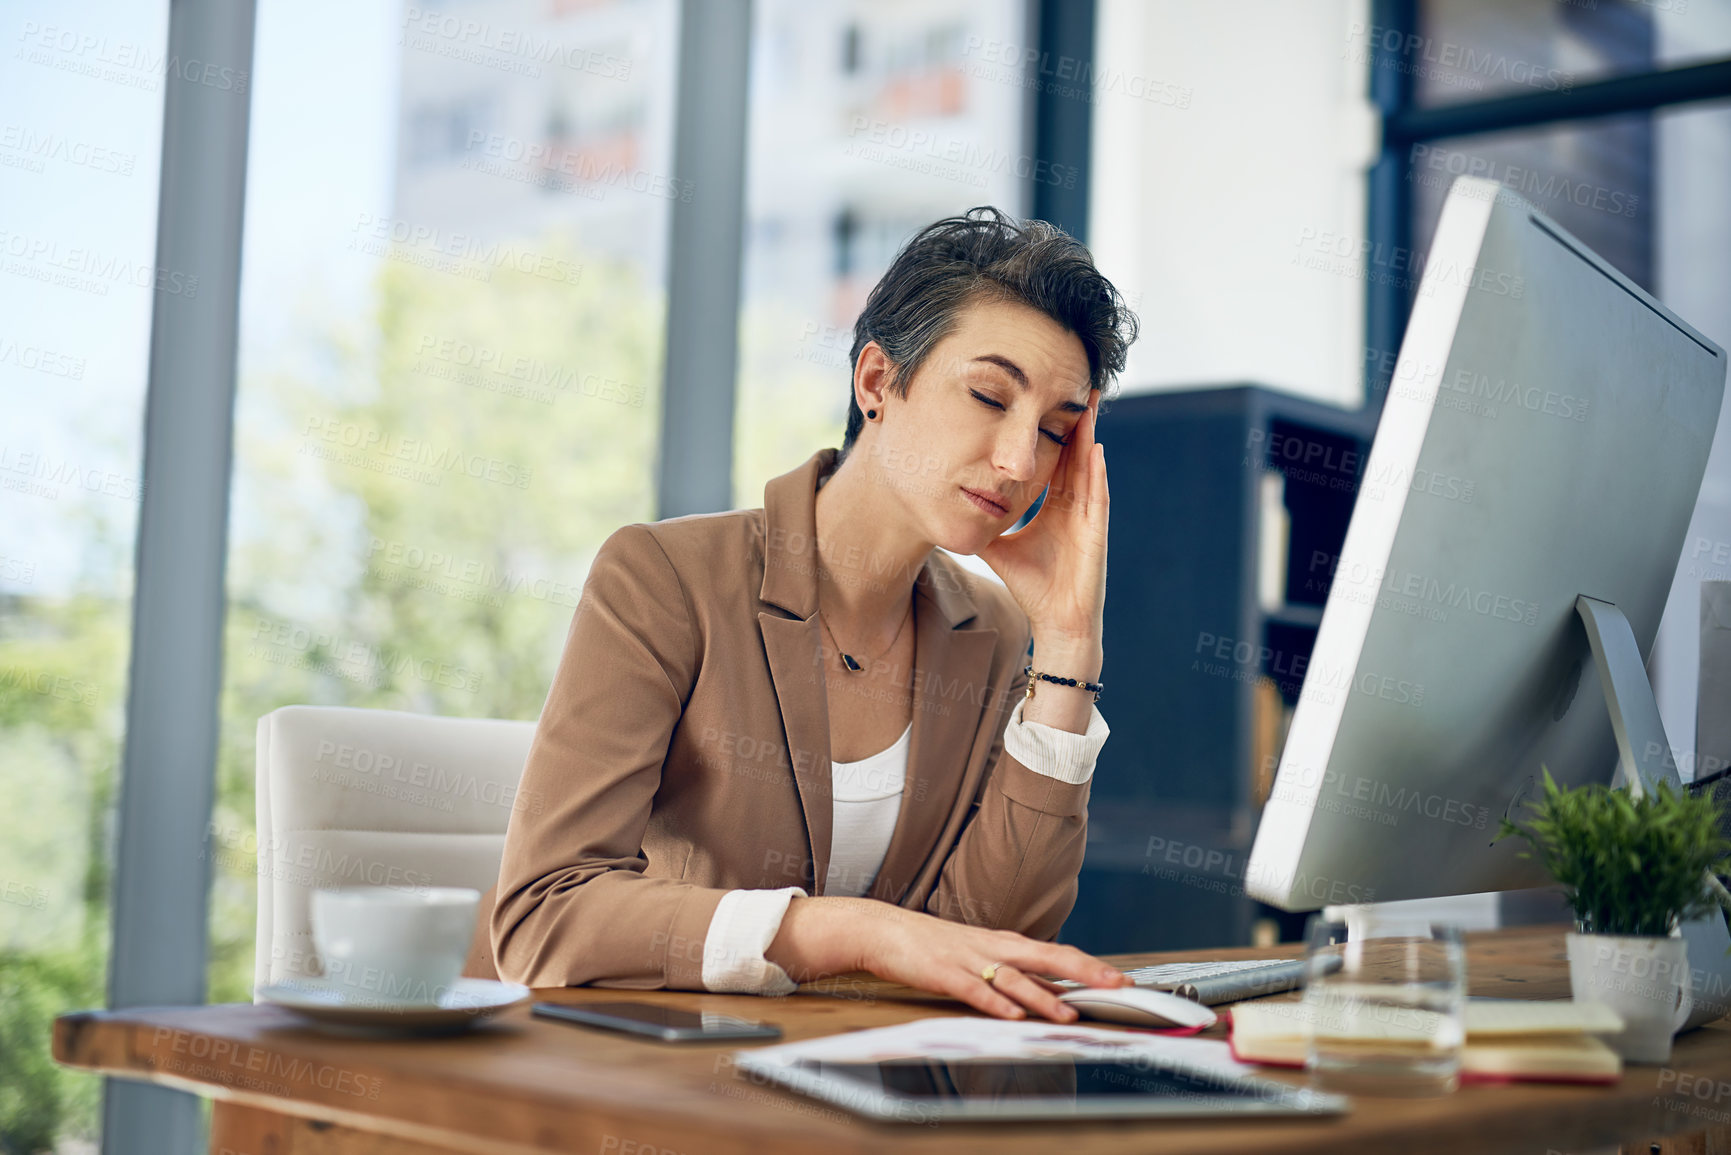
(1633, 870)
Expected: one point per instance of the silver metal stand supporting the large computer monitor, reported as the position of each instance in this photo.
(1644, 763)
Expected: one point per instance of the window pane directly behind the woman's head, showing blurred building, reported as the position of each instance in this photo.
(868, 120)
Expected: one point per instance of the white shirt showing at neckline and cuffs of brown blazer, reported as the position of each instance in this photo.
(866, 804)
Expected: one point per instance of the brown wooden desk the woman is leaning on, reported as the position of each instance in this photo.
(527, 1085)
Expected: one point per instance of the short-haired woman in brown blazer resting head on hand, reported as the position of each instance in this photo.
(794, 742)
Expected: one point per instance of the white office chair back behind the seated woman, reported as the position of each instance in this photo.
(376, 797)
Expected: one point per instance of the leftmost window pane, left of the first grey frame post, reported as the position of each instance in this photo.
(80, 148)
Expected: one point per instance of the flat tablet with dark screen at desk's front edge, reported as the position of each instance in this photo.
(1119, 1087)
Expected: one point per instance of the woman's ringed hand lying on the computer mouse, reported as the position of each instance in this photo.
(830, 936)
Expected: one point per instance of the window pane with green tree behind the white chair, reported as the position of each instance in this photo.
(449, 382)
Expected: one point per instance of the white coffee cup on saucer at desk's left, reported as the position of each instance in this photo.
(394, 948)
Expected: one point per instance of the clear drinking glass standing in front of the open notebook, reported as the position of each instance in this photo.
(1386, 1007)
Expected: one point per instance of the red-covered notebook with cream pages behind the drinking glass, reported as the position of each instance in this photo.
(1507, 1040)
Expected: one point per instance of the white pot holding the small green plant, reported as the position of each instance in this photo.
(1644, 979)
